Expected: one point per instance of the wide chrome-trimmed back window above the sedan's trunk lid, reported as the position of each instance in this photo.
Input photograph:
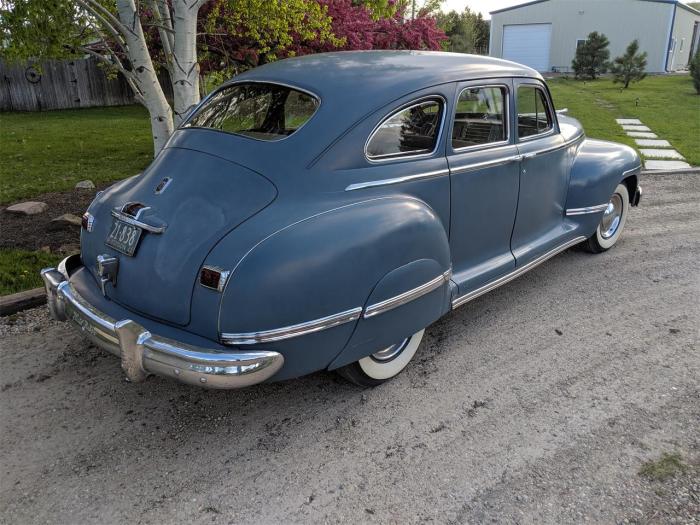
(258, 110)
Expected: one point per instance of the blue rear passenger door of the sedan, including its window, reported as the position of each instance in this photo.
(484, 166)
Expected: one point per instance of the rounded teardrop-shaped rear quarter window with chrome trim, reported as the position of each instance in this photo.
(410, 131)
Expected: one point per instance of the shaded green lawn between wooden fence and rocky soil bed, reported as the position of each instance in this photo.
(52, 150)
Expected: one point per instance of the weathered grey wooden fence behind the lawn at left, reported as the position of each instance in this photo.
(58, 84)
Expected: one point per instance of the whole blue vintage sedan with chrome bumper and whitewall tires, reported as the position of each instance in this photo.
(317, 213)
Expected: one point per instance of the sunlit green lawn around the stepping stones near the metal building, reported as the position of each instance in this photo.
(666, 104)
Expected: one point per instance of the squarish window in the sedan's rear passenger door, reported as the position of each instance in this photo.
(480, 117)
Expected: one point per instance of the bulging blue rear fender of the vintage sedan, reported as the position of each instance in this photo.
(324, 265)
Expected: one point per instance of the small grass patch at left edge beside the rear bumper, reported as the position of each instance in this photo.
(19, 269)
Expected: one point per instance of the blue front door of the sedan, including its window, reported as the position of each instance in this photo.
(544, 173)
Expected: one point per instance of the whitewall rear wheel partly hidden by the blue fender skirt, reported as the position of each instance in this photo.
(383, 365)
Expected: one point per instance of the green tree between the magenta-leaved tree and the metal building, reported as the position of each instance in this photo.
(467, 31)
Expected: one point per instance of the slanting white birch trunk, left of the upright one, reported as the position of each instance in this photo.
(144, 75)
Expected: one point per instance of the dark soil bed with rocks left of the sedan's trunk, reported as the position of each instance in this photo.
(33, 232)
